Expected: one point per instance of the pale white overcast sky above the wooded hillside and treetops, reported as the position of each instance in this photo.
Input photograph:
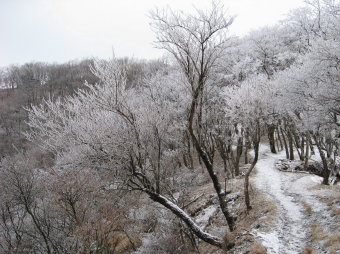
(63, 30)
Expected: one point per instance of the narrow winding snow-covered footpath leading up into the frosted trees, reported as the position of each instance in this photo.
(289, 235)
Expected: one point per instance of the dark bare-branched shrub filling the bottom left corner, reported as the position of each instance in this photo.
(28, 218)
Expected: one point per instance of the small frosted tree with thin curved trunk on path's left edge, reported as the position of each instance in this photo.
(249, 107)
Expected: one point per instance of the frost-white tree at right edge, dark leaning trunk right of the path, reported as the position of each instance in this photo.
(311, 98)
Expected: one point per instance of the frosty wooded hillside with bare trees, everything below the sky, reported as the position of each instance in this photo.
(160, 156)
